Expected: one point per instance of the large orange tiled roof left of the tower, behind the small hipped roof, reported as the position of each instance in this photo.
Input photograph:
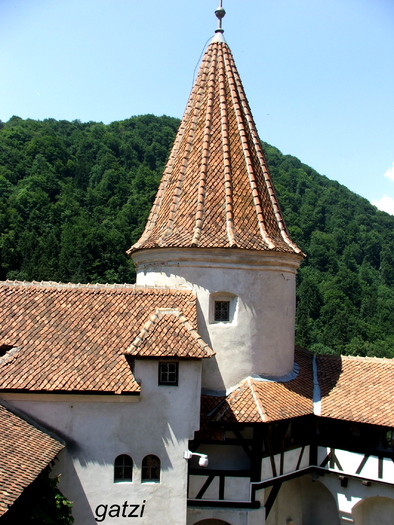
(56, 337)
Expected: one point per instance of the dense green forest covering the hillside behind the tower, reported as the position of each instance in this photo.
(74, 196)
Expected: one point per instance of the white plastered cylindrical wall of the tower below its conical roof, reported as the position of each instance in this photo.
(260, 338)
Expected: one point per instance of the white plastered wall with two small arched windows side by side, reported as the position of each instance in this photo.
(99, 428)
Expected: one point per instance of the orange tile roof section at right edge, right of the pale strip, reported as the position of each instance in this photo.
(358, 389)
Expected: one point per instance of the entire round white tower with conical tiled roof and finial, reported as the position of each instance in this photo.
(216, 226)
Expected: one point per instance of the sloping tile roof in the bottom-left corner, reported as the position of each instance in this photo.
(24, 452)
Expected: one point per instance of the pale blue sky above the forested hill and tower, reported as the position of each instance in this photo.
(319, 74)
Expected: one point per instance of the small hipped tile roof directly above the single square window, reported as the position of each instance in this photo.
(169, 334)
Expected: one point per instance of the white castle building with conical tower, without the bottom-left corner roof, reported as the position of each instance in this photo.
(145, 384)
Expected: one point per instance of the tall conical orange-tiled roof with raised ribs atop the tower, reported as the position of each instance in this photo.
(216, 191)
